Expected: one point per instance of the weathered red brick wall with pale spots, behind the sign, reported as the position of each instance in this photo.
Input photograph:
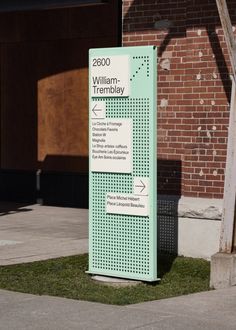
(193, 90)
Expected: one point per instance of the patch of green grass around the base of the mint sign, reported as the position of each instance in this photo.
(66, 277)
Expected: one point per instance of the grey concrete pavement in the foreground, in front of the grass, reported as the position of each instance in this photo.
(214, 310)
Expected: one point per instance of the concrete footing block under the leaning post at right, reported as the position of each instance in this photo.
(223, 270)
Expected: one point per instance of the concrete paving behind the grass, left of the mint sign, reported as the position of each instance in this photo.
(34, 232)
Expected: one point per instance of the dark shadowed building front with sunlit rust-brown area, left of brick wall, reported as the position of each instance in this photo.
(43, 97)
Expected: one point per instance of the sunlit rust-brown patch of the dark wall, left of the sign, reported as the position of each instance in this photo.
(63, 115)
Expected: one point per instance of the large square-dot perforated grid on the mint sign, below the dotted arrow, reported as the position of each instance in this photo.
(120, 243)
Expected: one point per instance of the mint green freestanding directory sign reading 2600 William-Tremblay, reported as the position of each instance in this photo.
(122, 154)
